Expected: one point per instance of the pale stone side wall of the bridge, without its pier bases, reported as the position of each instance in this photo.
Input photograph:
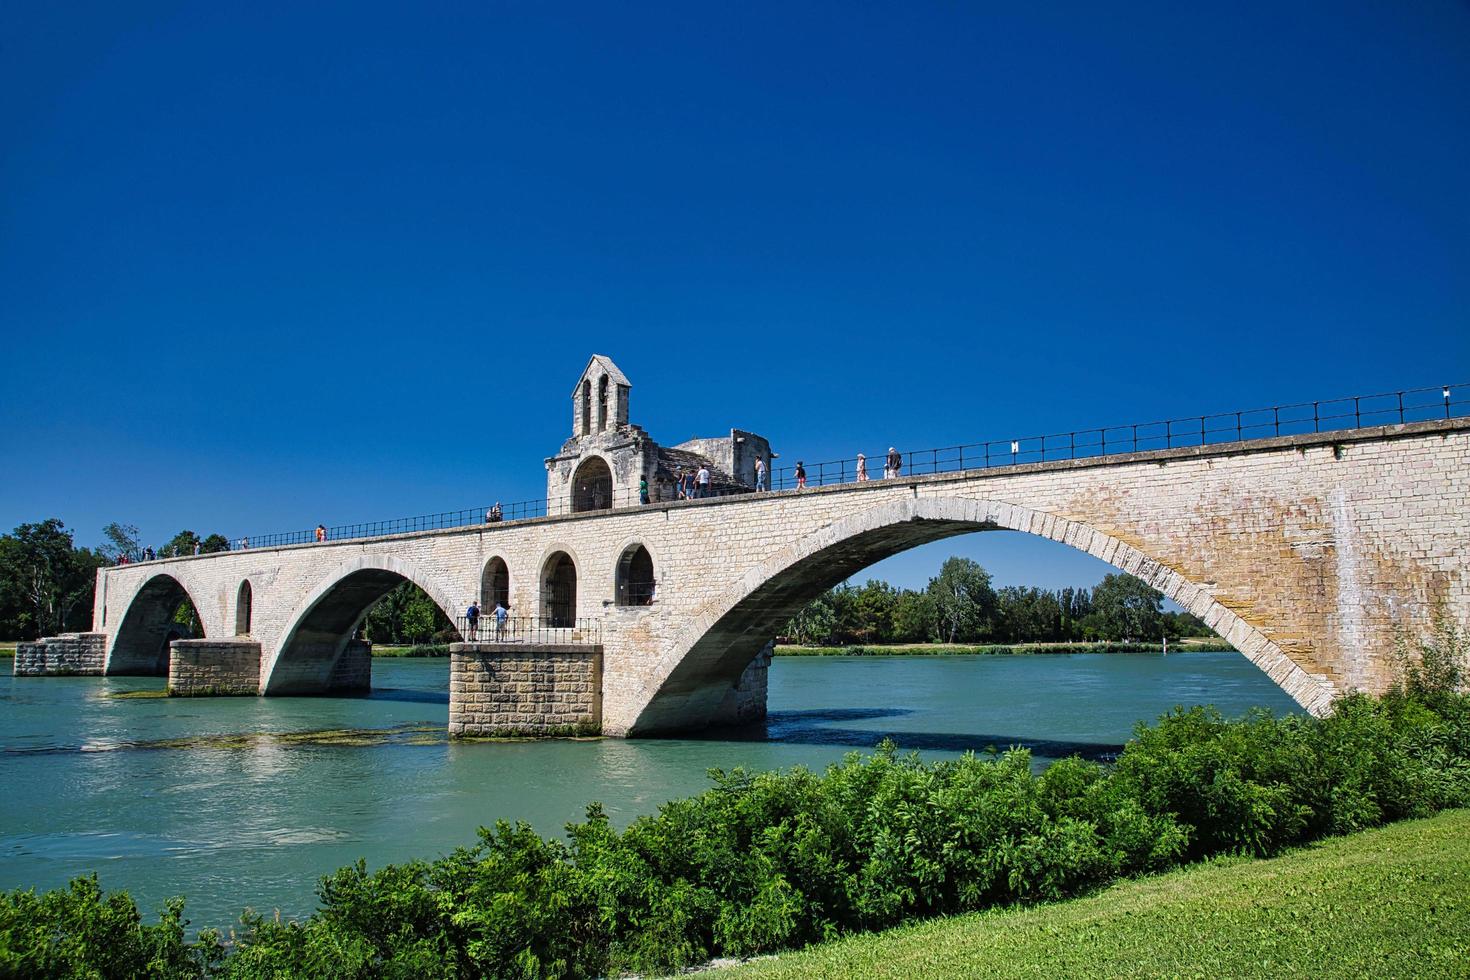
(1309, 553)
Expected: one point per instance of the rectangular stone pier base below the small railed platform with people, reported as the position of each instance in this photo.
(526, 690)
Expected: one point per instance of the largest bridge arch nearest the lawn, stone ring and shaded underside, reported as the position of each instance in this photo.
(712, 652)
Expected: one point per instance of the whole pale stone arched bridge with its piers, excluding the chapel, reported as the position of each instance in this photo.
(1309, 555)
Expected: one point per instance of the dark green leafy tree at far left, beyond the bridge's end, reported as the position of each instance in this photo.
(45, 581)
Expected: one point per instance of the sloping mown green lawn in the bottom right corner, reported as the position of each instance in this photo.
(1391, 903)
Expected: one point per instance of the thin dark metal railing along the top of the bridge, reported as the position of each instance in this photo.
(1335, 415)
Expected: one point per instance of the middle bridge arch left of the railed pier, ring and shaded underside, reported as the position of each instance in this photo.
(320, 630)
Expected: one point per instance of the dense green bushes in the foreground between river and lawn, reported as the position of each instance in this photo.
(770, 862)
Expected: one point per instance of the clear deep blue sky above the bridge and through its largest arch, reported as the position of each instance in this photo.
(270, 265)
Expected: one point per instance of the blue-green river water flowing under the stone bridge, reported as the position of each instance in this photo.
(227, 801)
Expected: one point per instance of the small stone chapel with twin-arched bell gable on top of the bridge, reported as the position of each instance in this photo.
(606, 458)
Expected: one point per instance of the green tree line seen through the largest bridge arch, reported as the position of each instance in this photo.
(962, 606)
